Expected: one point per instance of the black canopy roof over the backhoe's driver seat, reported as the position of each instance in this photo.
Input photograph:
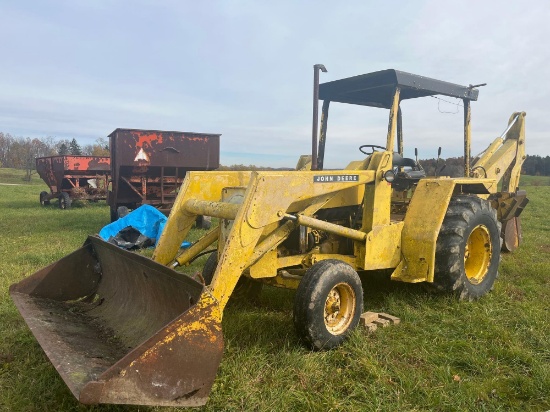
(377, 88)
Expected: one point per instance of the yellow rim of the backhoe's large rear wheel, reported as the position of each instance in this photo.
(477, 254)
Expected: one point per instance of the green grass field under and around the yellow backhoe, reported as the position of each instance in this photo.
(488, 355)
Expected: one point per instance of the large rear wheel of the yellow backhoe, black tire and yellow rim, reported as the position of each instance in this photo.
(468, 248)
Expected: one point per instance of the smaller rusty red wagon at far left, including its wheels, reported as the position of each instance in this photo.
(73, 177)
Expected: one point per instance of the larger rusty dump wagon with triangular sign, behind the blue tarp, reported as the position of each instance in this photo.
(148, 166)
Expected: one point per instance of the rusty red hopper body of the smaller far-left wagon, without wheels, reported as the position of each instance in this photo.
(63, 173)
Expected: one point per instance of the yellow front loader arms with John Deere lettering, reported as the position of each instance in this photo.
(270, 198)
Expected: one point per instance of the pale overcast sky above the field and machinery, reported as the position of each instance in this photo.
(244, 69)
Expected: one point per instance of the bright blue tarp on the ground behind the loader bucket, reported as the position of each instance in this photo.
(146, 219)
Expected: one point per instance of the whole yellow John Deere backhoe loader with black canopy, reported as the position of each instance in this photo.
(123, 328)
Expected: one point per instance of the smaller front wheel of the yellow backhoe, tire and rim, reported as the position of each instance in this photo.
(328, 304)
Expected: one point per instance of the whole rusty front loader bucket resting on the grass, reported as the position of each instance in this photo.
(121, 328)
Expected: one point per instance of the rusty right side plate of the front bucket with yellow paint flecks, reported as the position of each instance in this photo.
(175, 367)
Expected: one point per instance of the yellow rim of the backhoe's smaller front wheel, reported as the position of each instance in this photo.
(339, 308)
